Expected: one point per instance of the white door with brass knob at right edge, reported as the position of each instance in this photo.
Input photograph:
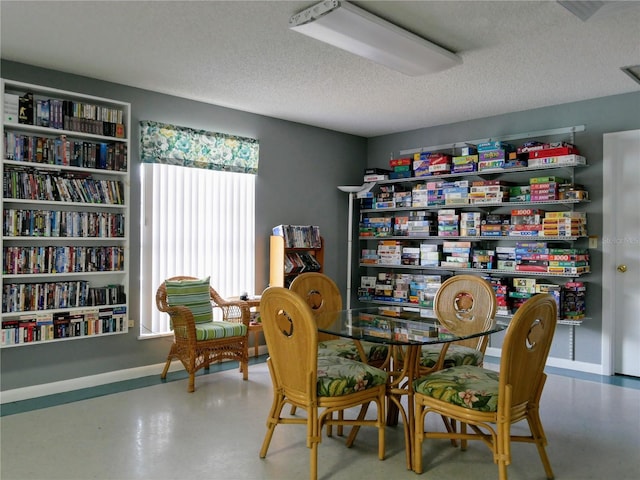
(621, 250)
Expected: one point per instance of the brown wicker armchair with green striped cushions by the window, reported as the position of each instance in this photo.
(199, 340)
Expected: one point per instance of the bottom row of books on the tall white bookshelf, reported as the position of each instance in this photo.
(49, 326)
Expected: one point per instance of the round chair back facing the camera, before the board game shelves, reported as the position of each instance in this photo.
(466, 304)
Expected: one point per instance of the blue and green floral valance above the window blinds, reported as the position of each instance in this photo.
(173, 145)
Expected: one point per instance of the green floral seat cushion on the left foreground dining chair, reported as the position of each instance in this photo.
(339, 376)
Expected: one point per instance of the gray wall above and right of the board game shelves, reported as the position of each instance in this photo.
(603, 115)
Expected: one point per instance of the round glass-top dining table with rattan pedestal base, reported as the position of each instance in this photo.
(404, 331)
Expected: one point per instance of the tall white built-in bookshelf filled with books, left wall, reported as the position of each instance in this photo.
(65, 211)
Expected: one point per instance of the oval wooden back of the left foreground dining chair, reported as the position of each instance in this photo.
(291, 335)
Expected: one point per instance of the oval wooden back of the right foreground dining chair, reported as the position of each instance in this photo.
(525, 350)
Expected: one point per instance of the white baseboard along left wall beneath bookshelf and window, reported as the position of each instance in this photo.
(35, 391)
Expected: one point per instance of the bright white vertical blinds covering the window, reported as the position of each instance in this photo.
(197, 223)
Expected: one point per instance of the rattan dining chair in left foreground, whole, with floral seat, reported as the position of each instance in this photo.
(321, 385)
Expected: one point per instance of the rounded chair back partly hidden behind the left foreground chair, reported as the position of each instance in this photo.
(321, 294)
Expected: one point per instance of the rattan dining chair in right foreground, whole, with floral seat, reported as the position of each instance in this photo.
(488, 402)
